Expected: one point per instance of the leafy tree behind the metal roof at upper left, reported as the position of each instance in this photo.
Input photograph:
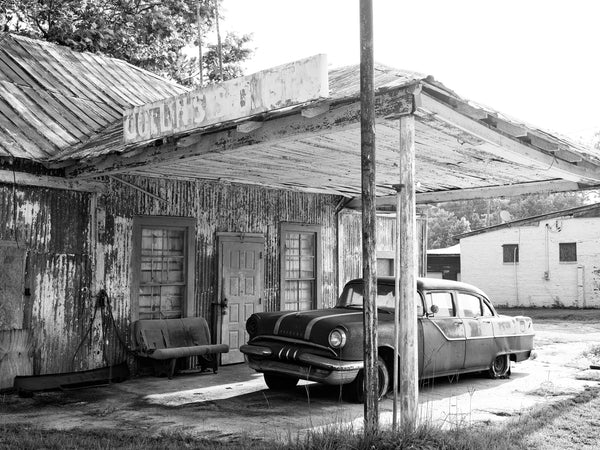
(151, 34)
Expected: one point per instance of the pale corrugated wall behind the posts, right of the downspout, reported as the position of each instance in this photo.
(350, 243)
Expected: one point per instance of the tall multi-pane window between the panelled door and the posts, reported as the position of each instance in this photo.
(300, 267)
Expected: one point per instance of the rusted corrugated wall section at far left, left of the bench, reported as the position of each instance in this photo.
(51, 226)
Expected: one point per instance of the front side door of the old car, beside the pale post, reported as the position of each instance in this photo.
(443, 335)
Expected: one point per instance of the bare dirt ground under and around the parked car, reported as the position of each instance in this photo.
(235, 403)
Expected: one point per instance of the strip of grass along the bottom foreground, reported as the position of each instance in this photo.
(569, 423)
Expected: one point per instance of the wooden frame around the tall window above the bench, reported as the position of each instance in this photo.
(189, 226)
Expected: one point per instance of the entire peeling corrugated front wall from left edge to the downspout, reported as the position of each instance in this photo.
(58, 229)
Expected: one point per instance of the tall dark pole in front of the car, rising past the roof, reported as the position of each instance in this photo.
(367, 146)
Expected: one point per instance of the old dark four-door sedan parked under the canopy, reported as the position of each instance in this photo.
(459, 331)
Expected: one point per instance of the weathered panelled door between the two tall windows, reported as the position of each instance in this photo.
(241, 277)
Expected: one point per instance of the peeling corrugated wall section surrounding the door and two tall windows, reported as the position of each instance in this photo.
(217, 208)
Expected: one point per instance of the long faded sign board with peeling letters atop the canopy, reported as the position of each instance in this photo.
(278, 87)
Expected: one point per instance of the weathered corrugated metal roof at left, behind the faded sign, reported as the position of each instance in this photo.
(53, 98)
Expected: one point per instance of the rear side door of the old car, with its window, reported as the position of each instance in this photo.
(479, 333)
